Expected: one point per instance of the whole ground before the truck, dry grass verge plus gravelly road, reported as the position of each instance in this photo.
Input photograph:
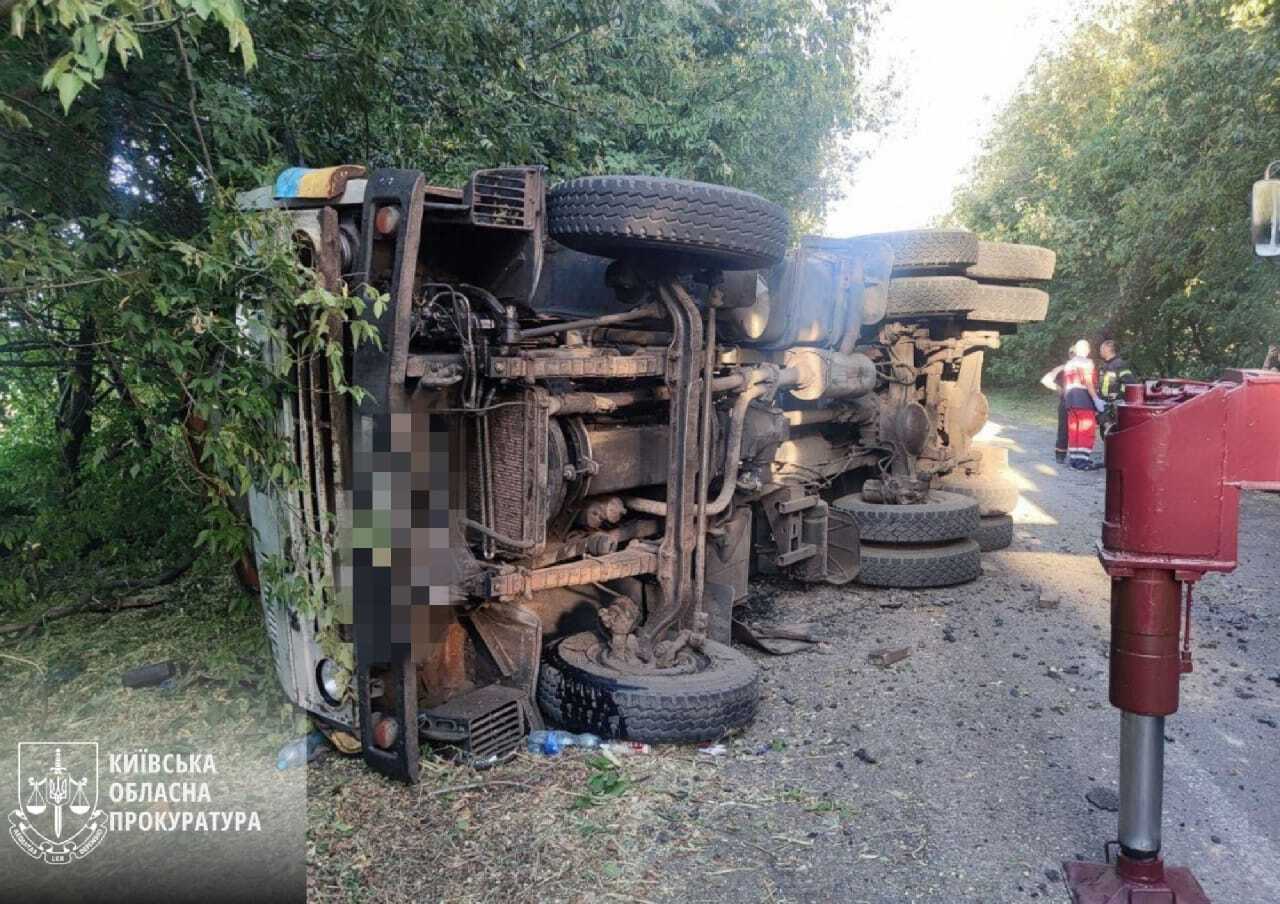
(957, 775)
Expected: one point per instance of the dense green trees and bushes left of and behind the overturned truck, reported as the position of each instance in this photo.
(136, 404)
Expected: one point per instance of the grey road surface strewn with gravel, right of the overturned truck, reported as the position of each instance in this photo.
(962, 774)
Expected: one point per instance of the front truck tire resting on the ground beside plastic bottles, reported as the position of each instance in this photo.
(580, 695)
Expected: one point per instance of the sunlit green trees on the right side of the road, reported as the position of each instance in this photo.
(1131, 153)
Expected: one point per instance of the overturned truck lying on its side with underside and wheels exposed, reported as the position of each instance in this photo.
(593, 416)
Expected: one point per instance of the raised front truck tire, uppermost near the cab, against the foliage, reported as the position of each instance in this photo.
(674, 222)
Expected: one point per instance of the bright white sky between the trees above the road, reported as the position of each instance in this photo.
(957, 63)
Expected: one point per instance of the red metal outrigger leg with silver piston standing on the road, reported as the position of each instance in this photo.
(1177, 463)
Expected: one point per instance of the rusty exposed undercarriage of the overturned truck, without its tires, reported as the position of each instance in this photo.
(556, 419)
